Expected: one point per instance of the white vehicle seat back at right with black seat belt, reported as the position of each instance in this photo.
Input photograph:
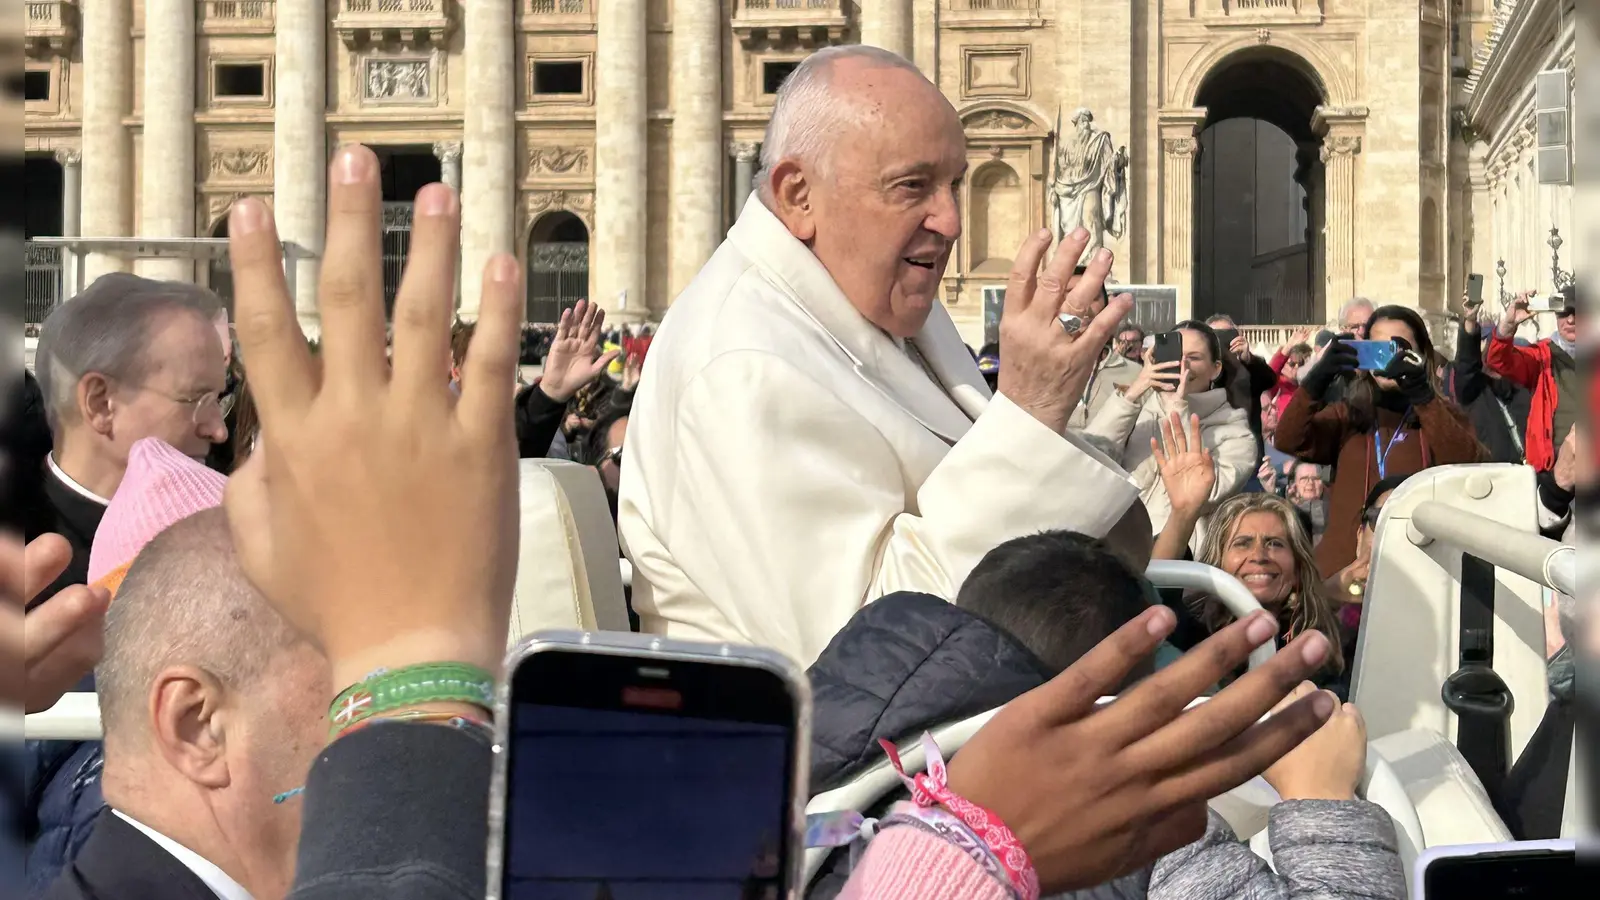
(1410, 629)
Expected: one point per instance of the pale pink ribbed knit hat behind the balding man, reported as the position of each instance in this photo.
(159, 489)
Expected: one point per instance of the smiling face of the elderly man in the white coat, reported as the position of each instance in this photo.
(884, 215)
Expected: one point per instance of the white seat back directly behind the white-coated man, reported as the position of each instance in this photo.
(567, 563)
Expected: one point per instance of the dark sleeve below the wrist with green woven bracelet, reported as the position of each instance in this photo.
(398, 798)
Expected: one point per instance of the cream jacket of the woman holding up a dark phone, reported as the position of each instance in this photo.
(1124, 432)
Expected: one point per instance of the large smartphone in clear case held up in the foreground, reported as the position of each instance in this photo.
(649, 768)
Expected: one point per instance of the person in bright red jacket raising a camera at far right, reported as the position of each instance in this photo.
(1550, 369)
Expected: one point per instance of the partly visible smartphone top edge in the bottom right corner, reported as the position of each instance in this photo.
(1497, 872)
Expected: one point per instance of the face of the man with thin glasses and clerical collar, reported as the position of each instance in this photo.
(178, 401)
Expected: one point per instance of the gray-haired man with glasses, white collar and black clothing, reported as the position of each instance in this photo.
(126, 360)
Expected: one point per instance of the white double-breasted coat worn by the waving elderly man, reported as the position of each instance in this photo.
(788, 462)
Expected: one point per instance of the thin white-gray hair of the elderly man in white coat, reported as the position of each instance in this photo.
(807, 116)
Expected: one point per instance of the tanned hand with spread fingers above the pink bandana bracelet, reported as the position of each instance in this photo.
(1094, 795)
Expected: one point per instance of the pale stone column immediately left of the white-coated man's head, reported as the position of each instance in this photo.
(697, 140)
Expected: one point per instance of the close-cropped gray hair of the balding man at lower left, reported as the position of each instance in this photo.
(185, 601)
